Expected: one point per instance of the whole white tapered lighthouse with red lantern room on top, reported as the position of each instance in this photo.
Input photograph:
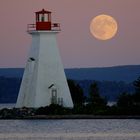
(44, 81)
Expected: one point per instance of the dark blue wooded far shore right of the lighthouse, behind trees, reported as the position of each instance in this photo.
(108, 89)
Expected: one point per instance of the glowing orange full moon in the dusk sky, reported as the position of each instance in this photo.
(103, 27)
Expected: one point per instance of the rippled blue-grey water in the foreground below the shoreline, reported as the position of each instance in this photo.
(95, 129)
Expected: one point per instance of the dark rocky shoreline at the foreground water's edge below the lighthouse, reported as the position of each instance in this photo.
(30, 113)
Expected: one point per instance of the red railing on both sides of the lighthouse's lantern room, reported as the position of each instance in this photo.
(54, 27)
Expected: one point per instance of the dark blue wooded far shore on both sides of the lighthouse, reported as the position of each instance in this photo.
(9, 88)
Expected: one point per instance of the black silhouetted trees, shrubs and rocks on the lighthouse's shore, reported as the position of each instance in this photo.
(93, 104)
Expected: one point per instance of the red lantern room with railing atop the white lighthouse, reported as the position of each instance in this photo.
(43, 22)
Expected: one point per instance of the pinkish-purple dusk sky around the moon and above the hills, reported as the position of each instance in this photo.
(78, 48)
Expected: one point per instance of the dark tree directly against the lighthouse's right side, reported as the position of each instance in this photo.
(76, 92)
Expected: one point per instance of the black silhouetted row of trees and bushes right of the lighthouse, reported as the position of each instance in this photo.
(94, 103)
